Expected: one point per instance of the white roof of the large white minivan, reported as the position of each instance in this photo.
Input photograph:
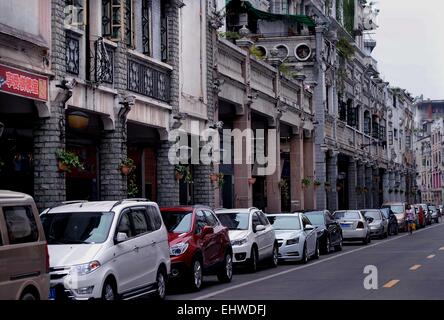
(96, 206)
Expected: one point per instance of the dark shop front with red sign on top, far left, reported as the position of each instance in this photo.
(20, 95)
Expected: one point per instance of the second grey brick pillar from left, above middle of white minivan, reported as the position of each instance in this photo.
(112, 150)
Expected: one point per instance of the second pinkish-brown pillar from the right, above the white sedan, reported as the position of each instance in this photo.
(296, 172)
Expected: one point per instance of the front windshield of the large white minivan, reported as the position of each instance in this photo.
(77, 227)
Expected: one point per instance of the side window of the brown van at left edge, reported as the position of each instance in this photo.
(20, 224)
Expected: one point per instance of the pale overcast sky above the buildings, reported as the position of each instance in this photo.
(410, 45)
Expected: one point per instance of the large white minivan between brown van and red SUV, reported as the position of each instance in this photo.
(107, 250)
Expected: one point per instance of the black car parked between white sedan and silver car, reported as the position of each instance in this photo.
(328, 230)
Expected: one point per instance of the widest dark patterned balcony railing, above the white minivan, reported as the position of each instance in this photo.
(149, 80)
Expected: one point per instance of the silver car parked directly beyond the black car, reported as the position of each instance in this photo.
(354, 225)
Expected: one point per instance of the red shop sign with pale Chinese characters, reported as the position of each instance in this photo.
(23, 84)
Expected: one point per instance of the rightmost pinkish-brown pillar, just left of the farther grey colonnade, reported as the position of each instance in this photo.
(309, 192)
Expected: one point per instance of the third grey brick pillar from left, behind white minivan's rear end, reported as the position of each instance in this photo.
(167, 186)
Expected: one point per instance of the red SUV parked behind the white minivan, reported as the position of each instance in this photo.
(199, 245)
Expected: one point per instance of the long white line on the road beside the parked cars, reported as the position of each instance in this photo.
(240, 285)
